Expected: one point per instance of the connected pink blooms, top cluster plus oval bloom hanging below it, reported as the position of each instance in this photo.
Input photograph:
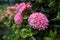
(21, 8)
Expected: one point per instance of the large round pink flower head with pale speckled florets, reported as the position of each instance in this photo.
(38, 21)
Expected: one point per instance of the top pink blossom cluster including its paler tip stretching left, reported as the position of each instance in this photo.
(22, 7)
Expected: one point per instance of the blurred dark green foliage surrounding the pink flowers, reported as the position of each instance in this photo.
(49, 7)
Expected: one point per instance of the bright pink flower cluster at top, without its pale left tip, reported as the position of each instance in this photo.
(22, 7)
